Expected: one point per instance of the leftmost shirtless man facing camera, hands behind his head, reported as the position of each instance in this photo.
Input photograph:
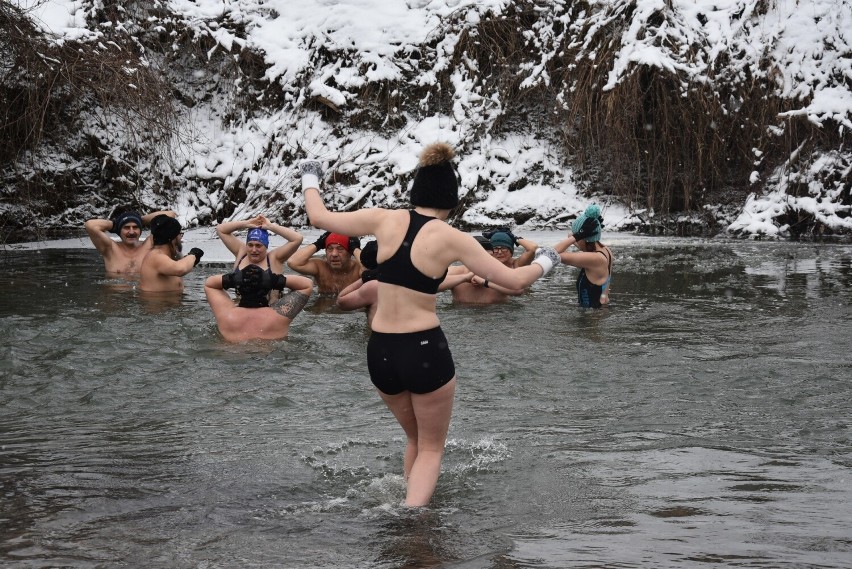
(123, 257)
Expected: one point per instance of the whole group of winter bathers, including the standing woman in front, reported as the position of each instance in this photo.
(396, 277)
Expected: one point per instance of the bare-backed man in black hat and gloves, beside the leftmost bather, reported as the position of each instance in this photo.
(161, 270)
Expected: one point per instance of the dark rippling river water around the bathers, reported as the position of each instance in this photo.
(703, 420)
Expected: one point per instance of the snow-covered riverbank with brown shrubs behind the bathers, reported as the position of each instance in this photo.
(679, 116)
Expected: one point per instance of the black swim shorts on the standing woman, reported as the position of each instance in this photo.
(419, 362)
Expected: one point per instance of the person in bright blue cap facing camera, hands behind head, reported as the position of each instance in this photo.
(255, 249)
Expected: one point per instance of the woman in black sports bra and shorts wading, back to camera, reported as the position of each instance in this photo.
(408, 356)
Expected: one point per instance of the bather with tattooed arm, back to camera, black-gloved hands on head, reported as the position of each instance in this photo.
(254, 318)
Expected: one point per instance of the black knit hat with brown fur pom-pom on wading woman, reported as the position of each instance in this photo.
(435, 182)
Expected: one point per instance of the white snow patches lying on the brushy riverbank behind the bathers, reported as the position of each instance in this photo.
(812, 65)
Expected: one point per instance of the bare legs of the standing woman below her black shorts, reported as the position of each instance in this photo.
(425, 418)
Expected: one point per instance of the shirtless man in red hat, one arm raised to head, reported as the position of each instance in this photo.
(339, 269)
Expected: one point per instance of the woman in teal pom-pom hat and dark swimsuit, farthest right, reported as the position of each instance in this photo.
(593, 258)
